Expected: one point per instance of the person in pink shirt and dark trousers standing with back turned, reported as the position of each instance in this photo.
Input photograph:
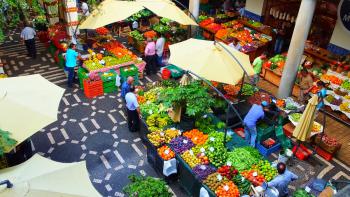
(150, 57)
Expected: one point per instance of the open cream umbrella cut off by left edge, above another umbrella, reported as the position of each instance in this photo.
(27, 104)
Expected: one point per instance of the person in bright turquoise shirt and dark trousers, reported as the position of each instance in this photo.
(71, 62)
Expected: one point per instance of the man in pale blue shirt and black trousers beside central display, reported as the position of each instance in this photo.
(133, 110)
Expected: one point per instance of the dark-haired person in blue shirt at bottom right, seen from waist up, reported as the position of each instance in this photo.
(282, 181)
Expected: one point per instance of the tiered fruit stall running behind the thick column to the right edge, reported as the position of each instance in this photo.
(324, 66)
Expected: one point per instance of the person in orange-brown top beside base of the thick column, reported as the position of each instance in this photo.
(306, 83)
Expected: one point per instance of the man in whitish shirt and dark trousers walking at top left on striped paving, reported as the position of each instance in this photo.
(28, 38)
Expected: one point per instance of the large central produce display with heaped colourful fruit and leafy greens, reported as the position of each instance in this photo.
(204, 162)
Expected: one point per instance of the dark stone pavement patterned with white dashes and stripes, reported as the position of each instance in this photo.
(95, 130)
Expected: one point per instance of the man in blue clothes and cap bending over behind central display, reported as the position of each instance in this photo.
(256, 113)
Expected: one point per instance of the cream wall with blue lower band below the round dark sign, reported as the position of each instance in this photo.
(340, 41)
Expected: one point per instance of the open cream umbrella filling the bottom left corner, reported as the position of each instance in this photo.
(41, 177)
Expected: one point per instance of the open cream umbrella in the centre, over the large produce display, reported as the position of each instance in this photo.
(210, 60)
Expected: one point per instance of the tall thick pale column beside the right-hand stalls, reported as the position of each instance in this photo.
(296, 48)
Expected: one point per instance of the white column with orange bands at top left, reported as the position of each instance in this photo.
(71, 15)
